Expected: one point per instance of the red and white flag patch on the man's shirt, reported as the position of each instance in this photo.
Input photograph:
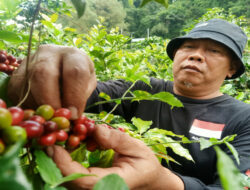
(206, 129)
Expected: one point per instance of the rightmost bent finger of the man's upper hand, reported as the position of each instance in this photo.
(78, 81)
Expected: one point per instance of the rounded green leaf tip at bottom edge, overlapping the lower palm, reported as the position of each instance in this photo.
(112, 181)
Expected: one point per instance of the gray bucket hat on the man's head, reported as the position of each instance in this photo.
(219, 30)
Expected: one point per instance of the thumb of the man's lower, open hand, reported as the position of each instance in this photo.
(120, 142)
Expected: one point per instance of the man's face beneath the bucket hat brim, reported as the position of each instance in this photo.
(202, 62)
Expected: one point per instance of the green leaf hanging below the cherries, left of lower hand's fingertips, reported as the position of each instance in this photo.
(47, 168)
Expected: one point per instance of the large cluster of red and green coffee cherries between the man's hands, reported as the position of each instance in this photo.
(44, 127)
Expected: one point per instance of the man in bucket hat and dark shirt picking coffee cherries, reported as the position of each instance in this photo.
(206, 56)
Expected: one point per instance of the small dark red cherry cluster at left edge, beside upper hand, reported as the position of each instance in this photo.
(8, 63)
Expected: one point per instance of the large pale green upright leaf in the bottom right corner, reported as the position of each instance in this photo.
(228, 172)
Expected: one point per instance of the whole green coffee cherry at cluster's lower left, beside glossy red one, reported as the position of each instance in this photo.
(13, 134)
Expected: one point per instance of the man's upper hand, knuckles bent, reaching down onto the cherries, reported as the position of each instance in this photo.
(59, 76)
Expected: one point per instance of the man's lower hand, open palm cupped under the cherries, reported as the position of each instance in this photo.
(134, 162)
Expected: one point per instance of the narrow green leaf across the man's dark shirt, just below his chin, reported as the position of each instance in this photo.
(161, 96)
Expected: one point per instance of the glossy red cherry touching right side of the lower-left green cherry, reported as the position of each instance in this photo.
(33, 128)
